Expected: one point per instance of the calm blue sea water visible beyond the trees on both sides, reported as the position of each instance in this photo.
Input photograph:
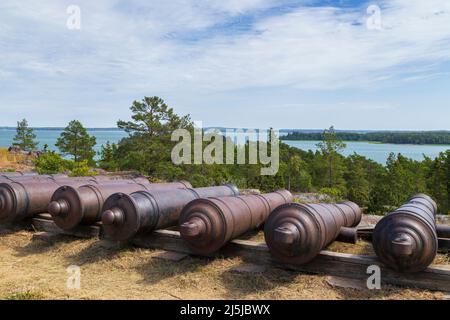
(374, 151)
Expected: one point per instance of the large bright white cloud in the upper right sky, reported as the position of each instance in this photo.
(323, 48)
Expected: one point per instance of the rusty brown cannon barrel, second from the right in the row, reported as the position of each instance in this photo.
(296, 233)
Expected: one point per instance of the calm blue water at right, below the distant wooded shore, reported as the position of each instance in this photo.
(379, 152)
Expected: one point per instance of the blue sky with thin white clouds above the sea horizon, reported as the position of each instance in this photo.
(379, 65)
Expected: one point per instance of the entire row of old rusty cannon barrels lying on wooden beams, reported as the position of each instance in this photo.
(405, 240)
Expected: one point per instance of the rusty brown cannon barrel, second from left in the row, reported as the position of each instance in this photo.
(71, 206)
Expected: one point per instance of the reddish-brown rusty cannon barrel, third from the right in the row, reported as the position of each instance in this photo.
(208, 224)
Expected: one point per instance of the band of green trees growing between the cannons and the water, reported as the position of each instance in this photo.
(148, 146)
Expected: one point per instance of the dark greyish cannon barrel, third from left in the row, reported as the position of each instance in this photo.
(125, 216)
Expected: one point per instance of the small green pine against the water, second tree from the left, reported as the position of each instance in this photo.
(76, 141)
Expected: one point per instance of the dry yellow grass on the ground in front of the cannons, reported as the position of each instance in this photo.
(33, 268)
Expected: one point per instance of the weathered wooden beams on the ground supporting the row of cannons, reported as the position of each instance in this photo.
(436, 277)
